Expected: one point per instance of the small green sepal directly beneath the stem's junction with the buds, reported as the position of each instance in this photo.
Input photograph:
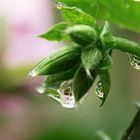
(106, 62)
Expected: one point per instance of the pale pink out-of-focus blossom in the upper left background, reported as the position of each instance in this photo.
(25, 20)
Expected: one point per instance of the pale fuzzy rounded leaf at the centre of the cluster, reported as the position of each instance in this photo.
(91, 57)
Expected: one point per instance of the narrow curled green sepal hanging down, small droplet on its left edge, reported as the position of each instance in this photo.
(105, 81)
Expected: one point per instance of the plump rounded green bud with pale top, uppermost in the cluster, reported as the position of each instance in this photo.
(82, 34)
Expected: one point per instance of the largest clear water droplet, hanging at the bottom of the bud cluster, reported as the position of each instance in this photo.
(66, 95)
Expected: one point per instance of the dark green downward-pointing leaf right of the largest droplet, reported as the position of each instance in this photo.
(82, 83)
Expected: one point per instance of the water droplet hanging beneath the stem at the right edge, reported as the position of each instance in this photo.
(134, 61)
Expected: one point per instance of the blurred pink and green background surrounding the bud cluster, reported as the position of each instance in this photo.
(27, 115)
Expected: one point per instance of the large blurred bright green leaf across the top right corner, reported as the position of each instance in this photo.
(124, 13)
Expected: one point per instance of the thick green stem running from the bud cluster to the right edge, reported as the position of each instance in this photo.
(124, 45)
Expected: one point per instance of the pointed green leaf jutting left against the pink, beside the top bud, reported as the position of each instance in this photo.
(57, 32)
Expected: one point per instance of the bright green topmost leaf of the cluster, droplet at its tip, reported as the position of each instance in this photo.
(74, 15)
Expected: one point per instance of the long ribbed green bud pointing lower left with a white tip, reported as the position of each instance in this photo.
(62, 60)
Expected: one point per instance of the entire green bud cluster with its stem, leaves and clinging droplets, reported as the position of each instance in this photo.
(72, 70)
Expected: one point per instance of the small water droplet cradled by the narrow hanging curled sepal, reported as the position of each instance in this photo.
(99, 90)
